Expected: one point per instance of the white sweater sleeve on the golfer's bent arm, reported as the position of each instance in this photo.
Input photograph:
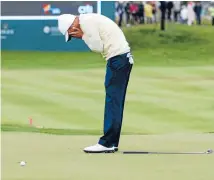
(94, 41)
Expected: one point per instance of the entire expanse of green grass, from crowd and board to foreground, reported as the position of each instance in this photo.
(169, 107)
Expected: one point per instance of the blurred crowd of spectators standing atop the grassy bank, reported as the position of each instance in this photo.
(148, 12)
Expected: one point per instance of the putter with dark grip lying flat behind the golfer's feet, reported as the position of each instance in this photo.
(209, 151)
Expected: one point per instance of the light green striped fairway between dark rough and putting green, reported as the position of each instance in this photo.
(159, 99)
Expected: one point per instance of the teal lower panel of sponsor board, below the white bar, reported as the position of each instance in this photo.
(36, 35)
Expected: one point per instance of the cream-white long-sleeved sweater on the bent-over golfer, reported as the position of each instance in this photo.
(102, 35)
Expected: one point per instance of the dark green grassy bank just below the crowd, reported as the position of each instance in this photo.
(175, 36)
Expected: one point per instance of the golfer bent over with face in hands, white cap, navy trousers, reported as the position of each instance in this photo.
(102, 35)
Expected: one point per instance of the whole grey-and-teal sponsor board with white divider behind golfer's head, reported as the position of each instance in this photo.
(32, 25)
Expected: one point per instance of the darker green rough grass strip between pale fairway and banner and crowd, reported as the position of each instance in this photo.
(178, 46)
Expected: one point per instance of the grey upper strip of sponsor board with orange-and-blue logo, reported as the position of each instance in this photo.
(47, 8)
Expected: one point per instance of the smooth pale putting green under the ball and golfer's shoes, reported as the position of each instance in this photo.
(51, 157)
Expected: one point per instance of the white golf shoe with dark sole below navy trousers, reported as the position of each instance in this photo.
(98, 148)
